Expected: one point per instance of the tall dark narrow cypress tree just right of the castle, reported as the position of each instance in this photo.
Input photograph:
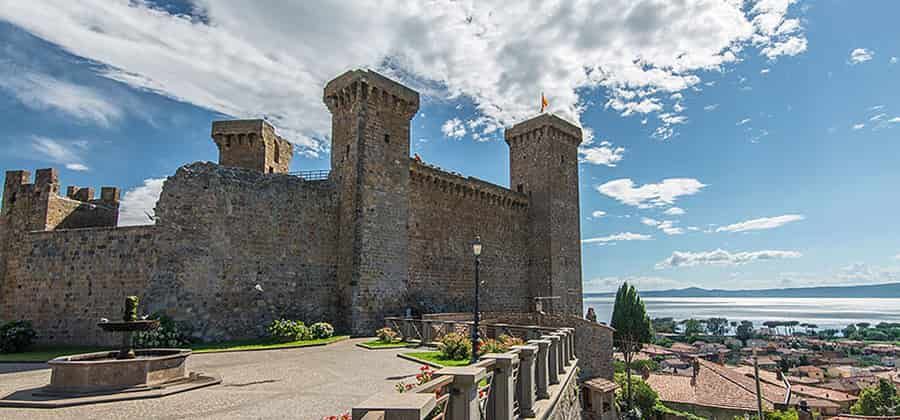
(632, 328)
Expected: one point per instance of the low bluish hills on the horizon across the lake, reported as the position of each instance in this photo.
(887, 290)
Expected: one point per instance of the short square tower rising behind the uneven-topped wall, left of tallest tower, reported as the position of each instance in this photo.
(252, 144)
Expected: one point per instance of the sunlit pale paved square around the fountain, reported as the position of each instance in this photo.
(306, 383)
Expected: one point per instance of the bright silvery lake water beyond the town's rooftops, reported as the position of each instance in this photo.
(823, 312)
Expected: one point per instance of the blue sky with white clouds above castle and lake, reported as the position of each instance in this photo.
(728, 144)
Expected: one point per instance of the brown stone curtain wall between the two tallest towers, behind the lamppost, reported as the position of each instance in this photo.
(446, 212)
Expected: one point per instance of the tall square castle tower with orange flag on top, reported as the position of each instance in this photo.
(543, 163)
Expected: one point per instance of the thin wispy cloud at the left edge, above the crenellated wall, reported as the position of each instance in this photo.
(43, 92)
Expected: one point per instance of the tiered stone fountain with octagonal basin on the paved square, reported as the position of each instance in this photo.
(115, 375)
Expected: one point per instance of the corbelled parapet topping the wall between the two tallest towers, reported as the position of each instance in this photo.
(466, 187)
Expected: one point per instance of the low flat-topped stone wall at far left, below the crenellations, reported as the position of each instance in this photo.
(64, 281)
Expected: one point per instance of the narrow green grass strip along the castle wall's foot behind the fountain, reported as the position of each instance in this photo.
(43, 354)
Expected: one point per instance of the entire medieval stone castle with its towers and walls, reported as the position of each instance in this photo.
(241, 242)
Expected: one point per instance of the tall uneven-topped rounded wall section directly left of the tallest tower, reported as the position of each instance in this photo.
(222, 231)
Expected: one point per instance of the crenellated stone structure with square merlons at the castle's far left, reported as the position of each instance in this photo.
(38, 206)
